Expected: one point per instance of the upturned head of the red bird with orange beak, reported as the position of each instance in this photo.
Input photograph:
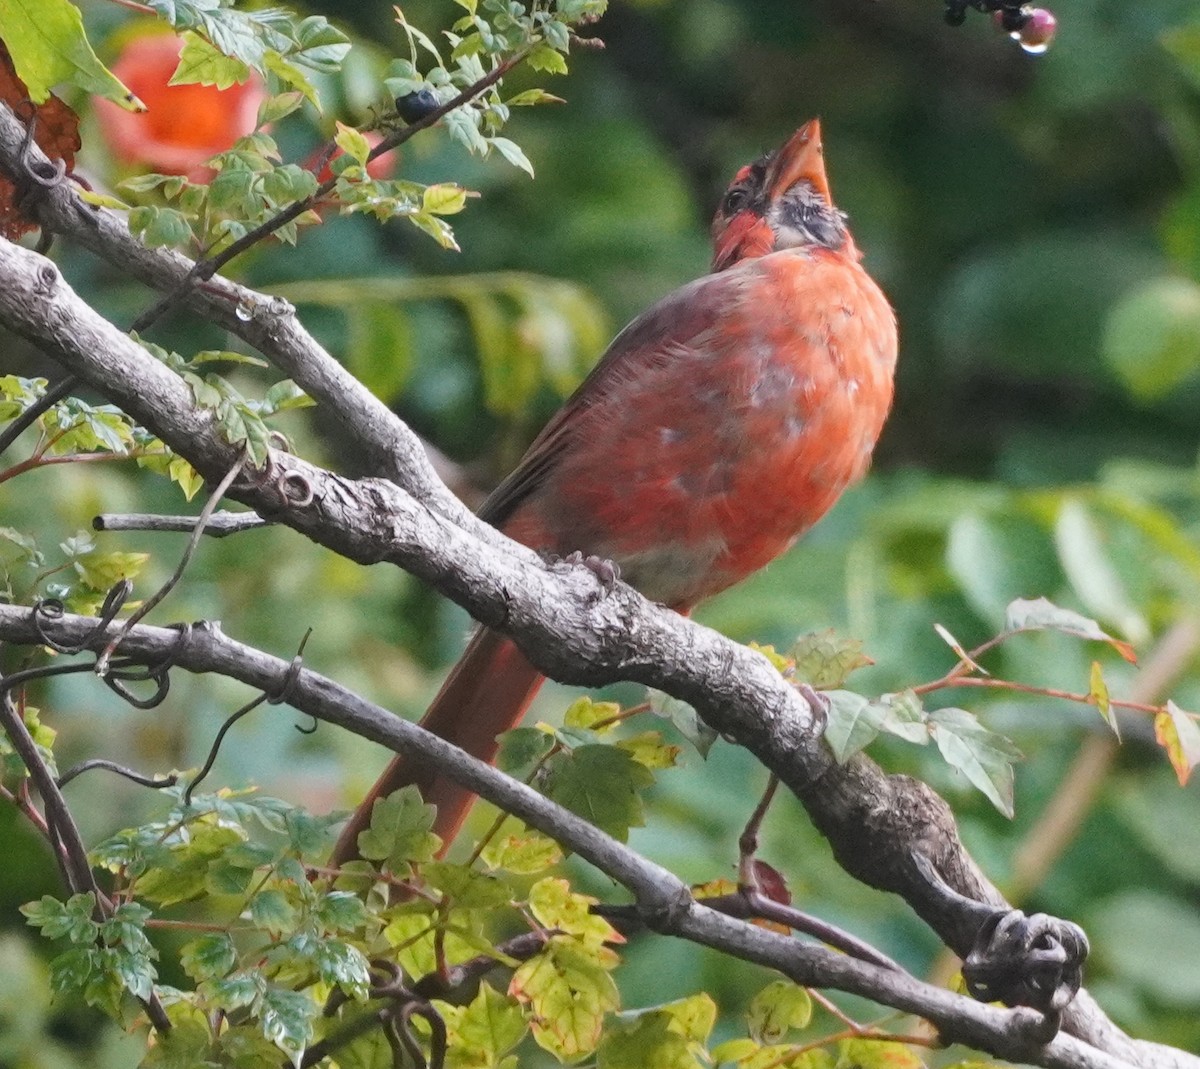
(782, 201)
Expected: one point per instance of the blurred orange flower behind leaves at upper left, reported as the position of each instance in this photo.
(184, 125)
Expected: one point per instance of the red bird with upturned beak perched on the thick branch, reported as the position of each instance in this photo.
(721, 427)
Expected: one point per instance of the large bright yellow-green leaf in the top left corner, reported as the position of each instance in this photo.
(49, 46)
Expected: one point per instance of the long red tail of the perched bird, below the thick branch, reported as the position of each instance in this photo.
(487, 694)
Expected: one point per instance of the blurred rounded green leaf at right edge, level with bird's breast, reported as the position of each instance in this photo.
(1153, 338)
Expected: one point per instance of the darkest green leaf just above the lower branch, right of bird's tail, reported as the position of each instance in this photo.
(602, 785)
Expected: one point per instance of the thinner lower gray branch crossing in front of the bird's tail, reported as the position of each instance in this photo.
(664, 902)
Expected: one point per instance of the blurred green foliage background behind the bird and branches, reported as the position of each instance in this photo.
(1036, 223)
